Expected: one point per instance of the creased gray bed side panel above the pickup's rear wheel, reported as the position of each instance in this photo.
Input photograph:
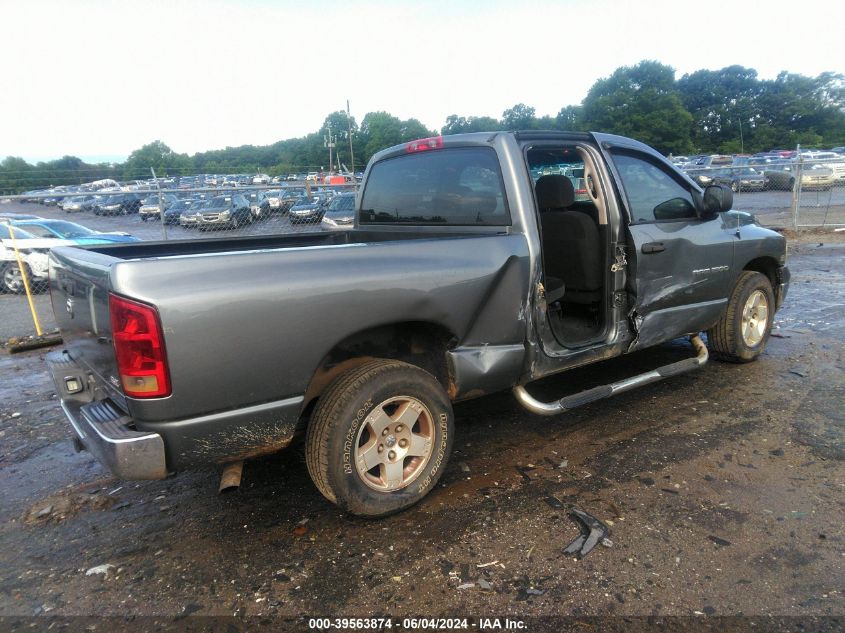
(244, 328)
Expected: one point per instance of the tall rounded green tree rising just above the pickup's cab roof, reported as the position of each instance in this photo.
(642, 102)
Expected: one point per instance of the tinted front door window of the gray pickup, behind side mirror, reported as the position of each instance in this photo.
(653, 194)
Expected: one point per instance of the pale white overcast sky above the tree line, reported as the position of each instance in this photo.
(99, 79)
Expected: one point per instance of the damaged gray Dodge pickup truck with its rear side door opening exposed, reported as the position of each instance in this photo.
(477, 263)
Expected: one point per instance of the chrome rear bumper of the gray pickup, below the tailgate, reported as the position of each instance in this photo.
(102, 427)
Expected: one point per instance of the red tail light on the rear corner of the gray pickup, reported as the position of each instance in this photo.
(139, 346)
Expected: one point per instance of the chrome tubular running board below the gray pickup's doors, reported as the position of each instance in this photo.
(605, 391)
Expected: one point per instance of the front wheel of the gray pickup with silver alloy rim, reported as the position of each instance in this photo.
(730, 339)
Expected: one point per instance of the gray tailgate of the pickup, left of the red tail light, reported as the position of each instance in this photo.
(79, 292)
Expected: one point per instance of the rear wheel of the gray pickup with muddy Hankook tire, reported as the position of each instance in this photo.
(343, 424)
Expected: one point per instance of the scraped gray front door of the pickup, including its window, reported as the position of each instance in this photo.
(680, 265)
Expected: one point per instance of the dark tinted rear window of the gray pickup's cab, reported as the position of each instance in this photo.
(461, 186)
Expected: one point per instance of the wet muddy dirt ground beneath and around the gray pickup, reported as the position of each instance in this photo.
(724, 491)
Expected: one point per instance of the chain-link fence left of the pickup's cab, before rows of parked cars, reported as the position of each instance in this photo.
(173, 209)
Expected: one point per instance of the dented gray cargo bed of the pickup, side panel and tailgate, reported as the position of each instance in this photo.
(247, 321)
